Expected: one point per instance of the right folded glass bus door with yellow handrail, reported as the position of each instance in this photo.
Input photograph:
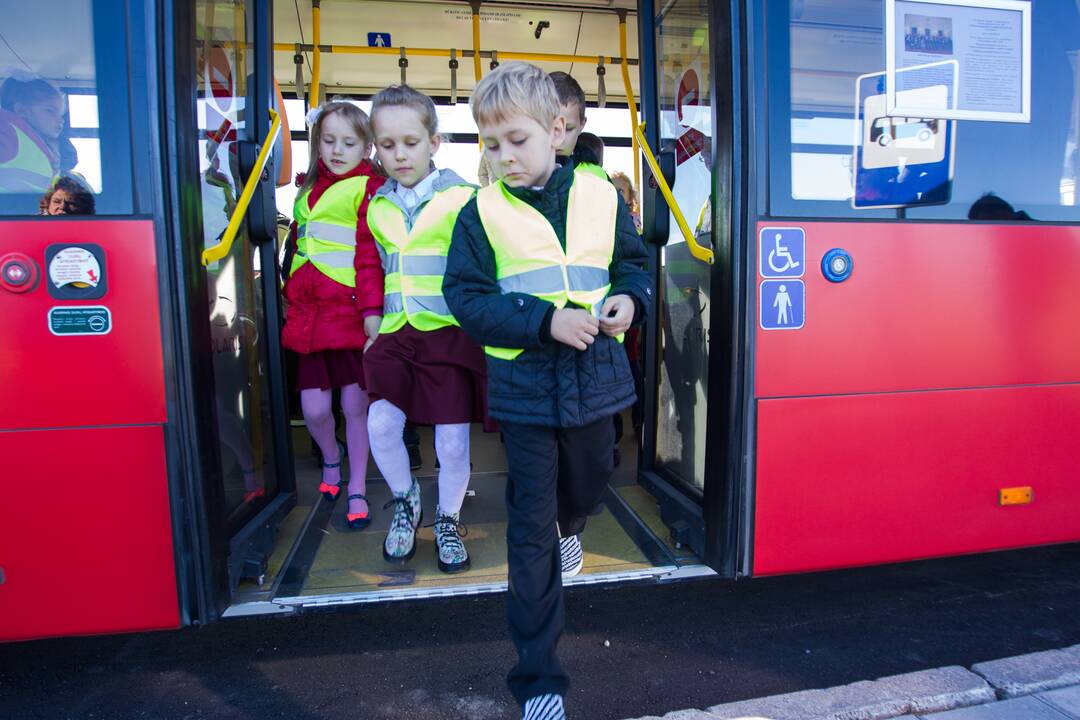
(687, 376)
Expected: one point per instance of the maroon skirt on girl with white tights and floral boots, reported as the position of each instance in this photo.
(435, 378)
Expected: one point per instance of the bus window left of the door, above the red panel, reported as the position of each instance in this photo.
(59, 156)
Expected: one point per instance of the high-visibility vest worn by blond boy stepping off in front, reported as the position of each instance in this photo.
(530, 259)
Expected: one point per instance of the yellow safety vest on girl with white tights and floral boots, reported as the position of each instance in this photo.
(415, 261)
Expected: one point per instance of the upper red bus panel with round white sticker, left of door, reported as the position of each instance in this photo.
(72, 381)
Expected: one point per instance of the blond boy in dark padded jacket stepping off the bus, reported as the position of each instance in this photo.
(546, 270)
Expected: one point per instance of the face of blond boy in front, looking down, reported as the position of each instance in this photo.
(521, 151)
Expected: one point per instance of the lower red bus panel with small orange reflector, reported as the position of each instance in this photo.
(861, 480)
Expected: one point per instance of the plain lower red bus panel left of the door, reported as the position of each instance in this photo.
(86, 538)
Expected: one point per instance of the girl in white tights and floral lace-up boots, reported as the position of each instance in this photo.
(423, 369)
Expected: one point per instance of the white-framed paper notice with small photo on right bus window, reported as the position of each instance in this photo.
(991, 44)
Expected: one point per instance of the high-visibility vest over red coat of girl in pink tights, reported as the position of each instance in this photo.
(327, 234)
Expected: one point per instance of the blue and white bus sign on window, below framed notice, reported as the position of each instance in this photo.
(903, 161)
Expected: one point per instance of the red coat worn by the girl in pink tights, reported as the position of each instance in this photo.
(322, 314)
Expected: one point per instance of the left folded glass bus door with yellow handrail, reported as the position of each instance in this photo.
(247, 483)
